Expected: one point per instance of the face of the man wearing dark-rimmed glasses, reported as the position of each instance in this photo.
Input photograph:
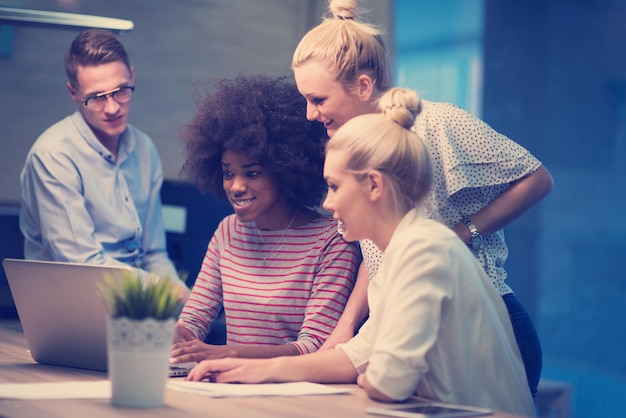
(109, 122)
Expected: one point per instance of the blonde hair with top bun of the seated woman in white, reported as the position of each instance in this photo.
(385, 142)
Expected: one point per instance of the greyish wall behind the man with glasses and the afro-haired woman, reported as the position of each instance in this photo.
(173, 46)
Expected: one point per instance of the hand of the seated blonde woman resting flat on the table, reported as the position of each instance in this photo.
(233, 370)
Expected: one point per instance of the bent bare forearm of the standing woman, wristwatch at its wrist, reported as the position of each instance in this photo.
(517, 199)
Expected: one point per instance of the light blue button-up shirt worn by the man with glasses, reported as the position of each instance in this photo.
(80, 204)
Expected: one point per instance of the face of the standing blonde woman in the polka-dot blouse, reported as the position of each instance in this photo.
(327, 100)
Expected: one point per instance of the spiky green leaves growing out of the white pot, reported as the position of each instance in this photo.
(135, 299)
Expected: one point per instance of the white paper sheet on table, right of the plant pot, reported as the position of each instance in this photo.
(217, 390)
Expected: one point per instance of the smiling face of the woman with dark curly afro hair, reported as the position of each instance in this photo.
(251, 190)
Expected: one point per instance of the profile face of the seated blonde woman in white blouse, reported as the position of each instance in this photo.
(347, 198)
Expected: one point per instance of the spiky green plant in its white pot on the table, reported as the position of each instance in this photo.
(139, 337)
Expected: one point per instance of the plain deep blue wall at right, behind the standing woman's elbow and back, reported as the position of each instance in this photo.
(555, 77)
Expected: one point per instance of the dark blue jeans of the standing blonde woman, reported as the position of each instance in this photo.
(527, 340)
